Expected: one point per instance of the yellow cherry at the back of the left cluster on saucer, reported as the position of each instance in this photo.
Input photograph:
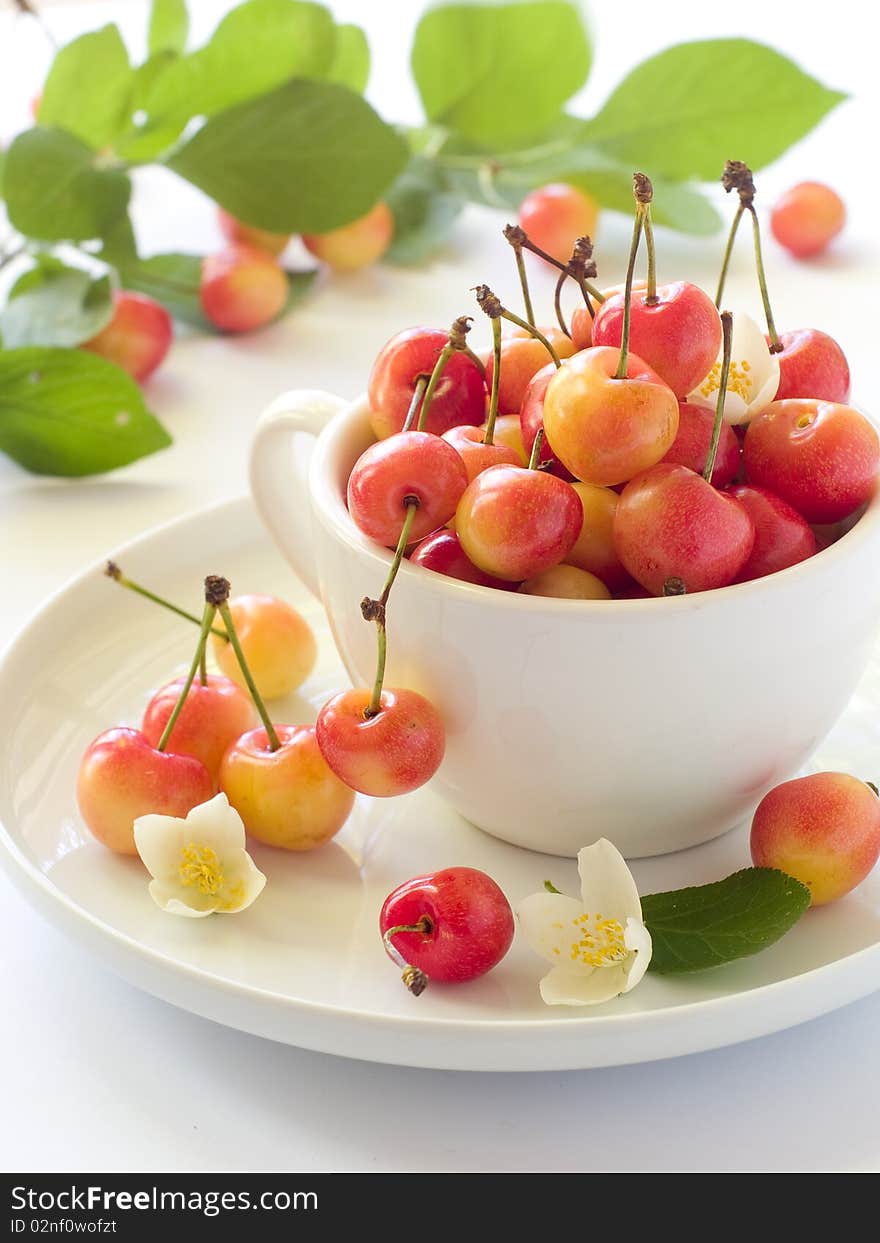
(278, 642)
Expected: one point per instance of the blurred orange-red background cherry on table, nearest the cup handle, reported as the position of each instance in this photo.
(242, 289)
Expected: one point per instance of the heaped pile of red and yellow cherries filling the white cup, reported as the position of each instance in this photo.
(631, 489)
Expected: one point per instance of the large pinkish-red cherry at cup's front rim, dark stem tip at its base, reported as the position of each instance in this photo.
(672, 524)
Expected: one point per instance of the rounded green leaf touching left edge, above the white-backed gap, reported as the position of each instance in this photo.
(57, 190)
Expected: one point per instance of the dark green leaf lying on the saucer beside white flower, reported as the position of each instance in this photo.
(709, 925)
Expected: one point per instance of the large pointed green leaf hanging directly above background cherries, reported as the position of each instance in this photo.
(306, 158)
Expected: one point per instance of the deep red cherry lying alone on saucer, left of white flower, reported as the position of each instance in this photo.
(472, 924)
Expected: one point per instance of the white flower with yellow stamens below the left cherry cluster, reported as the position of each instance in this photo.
(199, 865)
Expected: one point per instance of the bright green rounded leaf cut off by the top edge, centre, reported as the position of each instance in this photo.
(500, 74)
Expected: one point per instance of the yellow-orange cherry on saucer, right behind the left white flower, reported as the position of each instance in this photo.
(288, 799)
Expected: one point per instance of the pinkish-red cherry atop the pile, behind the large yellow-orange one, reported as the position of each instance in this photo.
(679, 336)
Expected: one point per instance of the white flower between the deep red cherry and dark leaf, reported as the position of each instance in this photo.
(598, 947)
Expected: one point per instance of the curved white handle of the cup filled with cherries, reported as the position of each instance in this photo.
(279, 473)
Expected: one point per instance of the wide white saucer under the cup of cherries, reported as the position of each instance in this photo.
(305, 965)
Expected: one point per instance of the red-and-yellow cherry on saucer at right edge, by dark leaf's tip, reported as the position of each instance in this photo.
(823, 830)
